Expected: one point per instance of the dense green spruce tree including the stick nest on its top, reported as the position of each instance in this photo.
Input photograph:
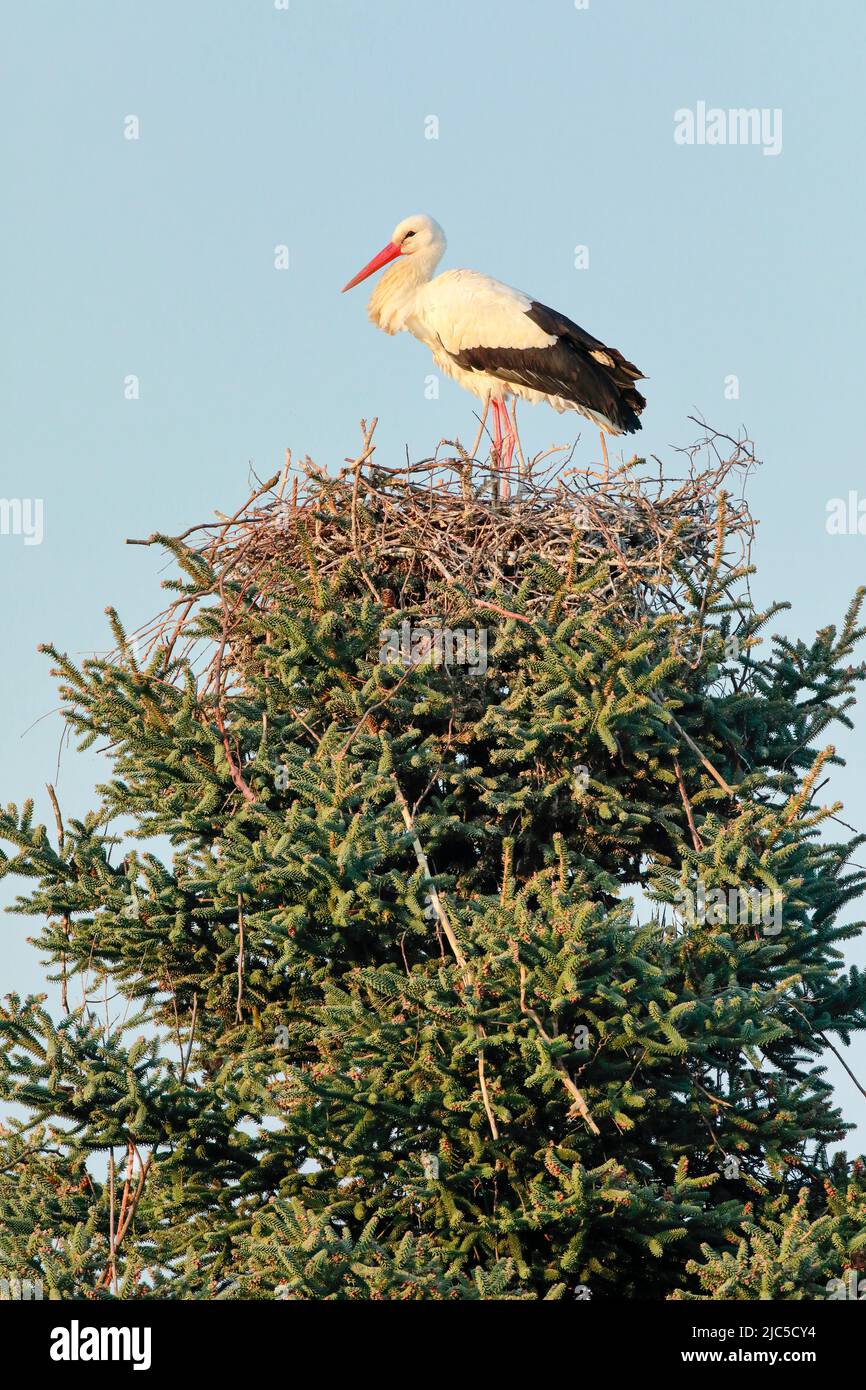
(459, 918)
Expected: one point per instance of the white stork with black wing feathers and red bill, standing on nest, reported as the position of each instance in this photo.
(497, 341)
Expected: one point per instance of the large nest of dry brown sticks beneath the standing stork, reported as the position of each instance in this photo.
(437, 533)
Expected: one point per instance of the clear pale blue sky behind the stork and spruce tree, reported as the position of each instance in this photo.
(307, 129)
